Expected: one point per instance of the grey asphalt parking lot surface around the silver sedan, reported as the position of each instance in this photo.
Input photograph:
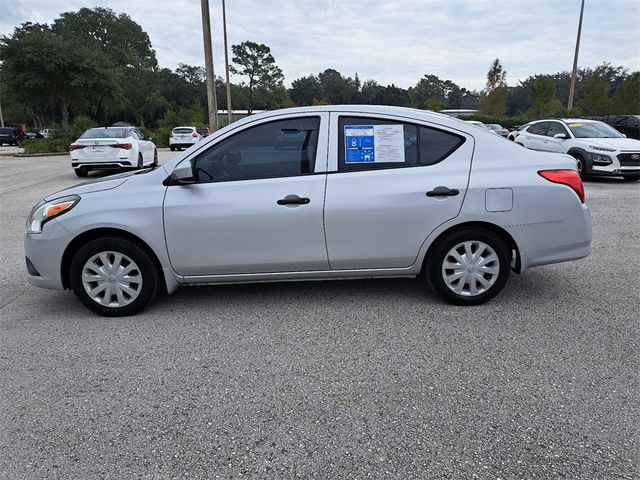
(345, 379)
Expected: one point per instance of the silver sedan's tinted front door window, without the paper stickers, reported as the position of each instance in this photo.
(282, 148)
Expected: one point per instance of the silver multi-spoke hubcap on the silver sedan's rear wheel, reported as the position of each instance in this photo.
(470, 268)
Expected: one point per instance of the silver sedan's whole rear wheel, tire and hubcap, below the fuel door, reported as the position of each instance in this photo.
(469, 266)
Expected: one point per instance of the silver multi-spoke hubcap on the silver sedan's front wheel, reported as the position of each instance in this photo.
(112, 279)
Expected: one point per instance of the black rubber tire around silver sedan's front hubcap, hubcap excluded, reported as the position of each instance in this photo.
(148, 271)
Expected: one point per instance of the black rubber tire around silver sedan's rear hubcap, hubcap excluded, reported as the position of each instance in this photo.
(439, 253)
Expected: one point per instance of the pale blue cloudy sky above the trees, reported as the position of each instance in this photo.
(388, 40)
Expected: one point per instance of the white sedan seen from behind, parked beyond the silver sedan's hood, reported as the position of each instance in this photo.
(112, 148)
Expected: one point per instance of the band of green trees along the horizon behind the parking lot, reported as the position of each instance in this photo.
(99, 65)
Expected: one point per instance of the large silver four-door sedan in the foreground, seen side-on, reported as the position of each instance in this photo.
(315, 193)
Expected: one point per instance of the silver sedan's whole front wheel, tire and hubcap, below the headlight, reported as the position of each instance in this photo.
(114, 277)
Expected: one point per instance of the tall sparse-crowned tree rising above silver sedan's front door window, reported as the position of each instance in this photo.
(255, 62)
